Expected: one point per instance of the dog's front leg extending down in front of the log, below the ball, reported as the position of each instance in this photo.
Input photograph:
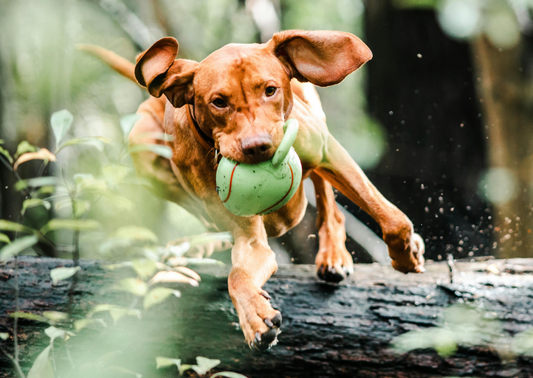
(253, 264)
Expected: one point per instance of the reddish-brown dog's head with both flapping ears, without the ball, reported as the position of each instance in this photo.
(241, 94)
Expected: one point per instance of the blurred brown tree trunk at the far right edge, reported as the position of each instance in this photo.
(505, 90)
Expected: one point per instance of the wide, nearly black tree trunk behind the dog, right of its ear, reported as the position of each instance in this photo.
(421, 90)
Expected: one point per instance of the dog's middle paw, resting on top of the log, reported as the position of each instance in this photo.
(334, 264)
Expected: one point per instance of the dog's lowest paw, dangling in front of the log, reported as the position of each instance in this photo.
(259, 322)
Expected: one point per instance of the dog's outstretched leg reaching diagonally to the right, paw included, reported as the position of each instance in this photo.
(405, 247)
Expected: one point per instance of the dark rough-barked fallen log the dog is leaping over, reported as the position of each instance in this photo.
(329, 330)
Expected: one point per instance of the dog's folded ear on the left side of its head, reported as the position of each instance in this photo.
(160, 72)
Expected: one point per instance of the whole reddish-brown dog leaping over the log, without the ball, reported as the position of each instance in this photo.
(236, 101)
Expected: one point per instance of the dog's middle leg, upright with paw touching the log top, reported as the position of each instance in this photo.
(333, 261)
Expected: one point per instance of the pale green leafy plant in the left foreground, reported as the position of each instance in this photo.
(150, 264)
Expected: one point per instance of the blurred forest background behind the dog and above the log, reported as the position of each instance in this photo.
(440, 119)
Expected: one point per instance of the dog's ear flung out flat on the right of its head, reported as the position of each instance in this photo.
(321, 57)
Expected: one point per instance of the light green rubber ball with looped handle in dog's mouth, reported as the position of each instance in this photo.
(259, 189)
